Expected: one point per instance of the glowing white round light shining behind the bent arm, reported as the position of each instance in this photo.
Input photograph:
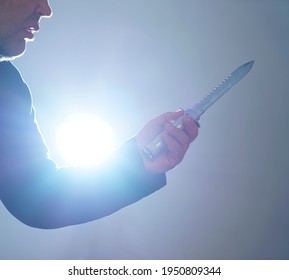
(85, 140)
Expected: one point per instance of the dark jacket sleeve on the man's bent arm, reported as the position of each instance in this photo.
(41, 195)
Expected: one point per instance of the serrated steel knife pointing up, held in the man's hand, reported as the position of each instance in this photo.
(157, 146)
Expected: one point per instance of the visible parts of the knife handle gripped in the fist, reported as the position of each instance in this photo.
(157, 146)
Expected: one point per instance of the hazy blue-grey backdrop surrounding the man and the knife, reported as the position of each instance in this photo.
(131, 60)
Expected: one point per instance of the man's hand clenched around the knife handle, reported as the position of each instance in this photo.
(177, 140)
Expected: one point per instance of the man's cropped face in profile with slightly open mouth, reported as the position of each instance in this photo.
(19, 19)
